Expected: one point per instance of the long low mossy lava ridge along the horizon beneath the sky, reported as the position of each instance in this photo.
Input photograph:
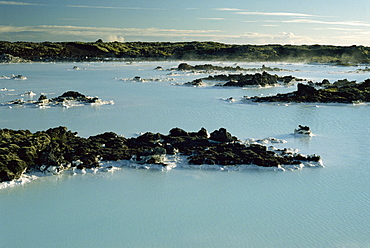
(99, 50)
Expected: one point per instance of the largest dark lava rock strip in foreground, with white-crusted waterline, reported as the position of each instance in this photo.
(59, 149)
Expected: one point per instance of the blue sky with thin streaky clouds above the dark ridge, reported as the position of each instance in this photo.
(295, 22)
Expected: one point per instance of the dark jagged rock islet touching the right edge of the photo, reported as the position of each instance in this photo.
(342, 91)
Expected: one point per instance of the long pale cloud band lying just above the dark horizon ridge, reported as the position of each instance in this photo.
(85, 33)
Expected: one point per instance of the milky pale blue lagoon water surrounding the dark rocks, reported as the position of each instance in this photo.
(312, 207)
